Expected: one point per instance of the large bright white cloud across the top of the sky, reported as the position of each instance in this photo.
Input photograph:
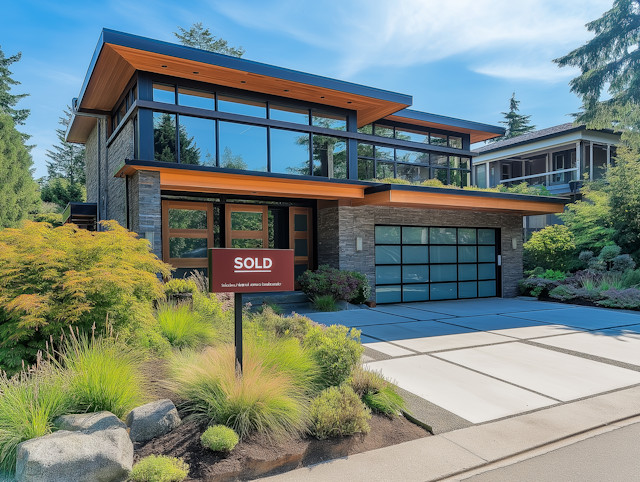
(401, 33)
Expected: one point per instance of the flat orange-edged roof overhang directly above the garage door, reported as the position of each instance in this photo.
(399, 195)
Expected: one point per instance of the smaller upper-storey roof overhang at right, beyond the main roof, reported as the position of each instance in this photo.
(478, 132)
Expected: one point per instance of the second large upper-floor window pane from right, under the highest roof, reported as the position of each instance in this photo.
(289, 152)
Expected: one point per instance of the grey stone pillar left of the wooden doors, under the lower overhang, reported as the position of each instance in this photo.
(145, 212)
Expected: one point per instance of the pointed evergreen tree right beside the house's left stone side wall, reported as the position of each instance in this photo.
(66, 159)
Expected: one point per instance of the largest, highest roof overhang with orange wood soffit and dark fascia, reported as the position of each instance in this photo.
(118, 55)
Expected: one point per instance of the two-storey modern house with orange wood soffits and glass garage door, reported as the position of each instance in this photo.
(193, 149)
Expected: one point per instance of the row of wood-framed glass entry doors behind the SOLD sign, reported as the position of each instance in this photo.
(190, 228)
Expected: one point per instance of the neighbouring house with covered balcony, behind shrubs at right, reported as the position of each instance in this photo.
(558, 158)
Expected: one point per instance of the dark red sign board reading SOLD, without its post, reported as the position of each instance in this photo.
(250, 270)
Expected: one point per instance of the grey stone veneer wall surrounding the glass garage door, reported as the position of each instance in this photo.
(338, 228)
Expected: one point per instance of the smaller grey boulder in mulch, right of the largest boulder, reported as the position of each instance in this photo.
(152, 420)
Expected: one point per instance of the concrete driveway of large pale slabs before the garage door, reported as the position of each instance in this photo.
(479, 360)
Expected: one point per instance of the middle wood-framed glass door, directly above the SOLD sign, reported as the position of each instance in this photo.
(246, 226)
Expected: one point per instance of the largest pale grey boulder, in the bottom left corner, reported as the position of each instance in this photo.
(64, 456)
